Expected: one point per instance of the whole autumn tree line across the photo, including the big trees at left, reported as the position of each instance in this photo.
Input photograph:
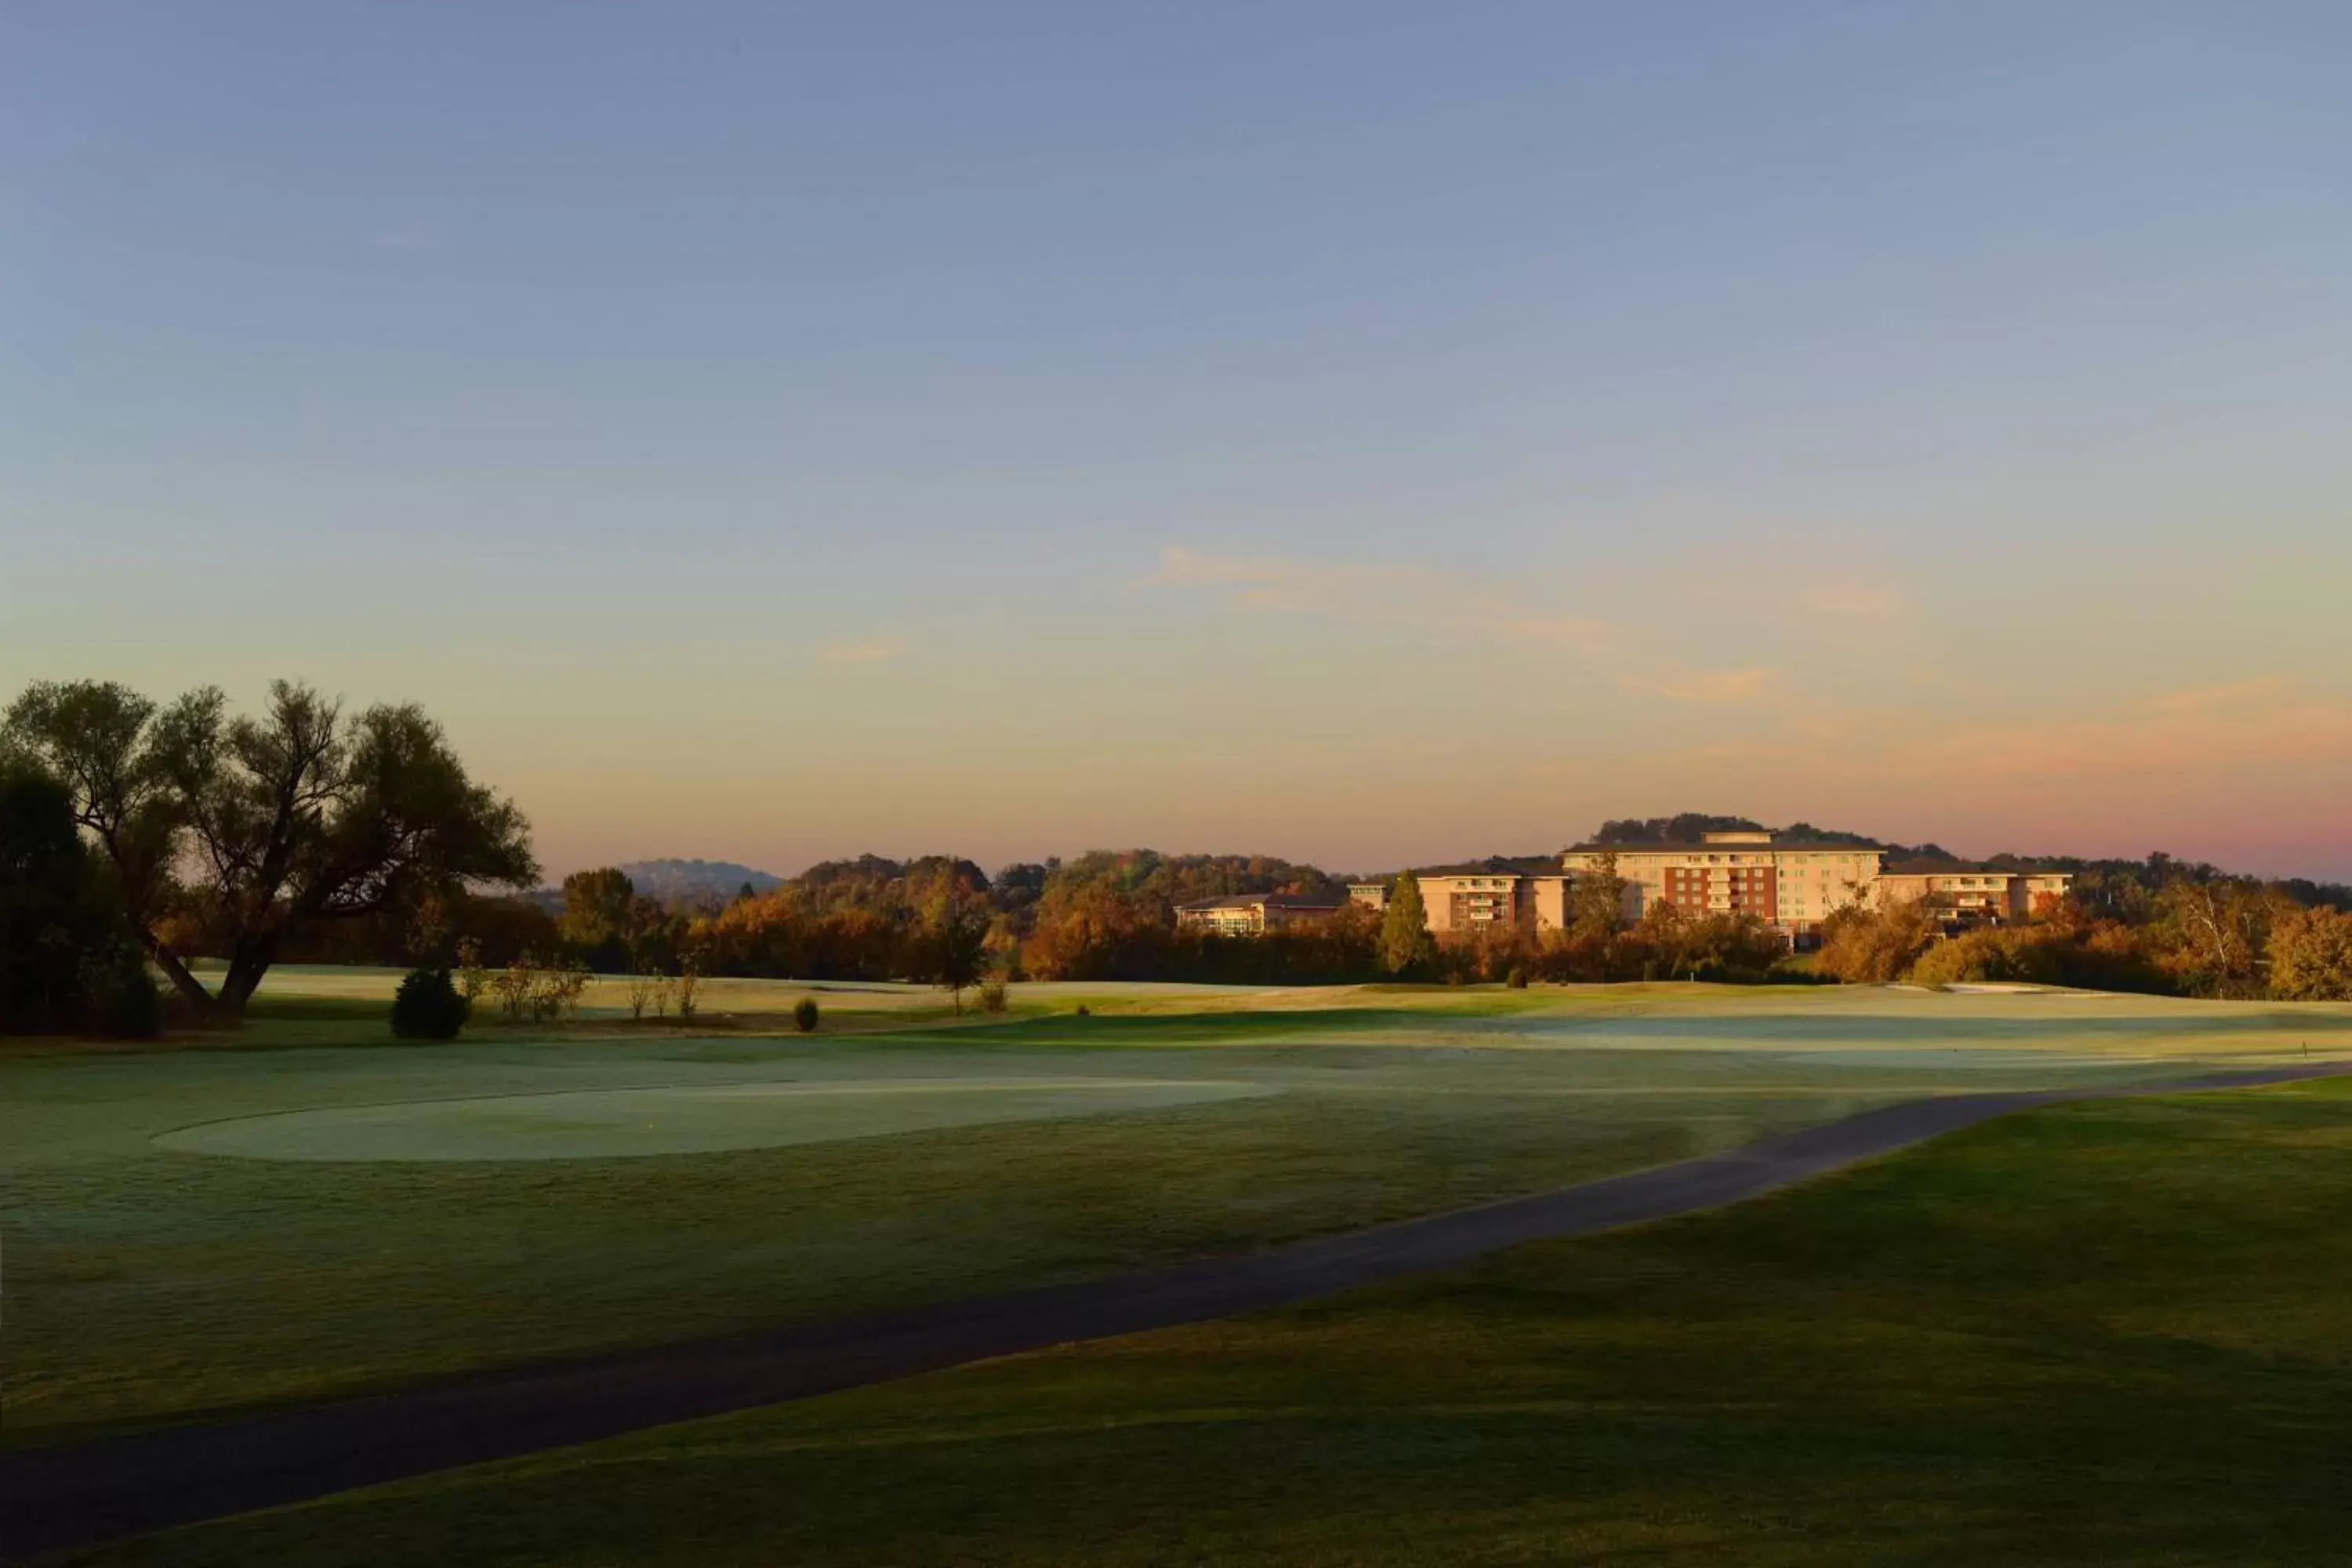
(140, 833)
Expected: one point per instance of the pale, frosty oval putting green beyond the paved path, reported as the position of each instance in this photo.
(679, 1120)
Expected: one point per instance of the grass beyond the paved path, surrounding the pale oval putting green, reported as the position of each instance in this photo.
(159, 1285)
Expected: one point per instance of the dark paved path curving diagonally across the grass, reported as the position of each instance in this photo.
(95, 1492)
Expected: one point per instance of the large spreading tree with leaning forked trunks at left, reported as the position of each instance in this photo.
(274, 824)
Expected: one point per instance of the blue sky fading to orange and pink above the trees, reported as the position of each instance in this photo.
(1361, 434)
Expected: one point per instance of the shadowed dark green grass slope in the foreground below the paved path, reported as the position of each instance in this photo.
(2113, 1332)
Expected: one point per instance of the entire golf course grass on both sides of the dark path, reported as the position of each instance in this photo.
(222, 1228)
